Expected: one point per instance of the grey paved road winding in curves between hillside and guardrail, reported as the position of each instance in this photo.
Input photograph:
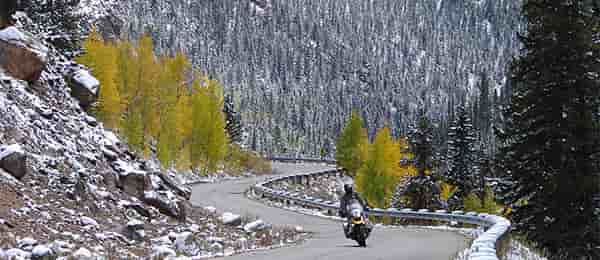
(328, 241)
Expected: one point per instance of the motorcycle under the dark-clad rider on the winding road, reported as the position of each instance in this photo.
(359, 228)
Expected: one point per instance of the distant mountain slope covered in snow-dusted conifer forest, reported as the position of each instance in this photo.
(298, 68)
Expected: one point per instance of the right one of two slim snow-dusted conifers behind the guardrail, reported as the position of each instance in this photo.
(461, 157)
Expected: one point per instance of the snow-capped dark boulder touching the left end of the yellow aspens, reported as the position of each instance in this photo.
(84, 88)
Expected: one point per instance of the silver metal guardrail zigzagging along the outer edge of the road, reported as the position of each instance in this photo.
(482, 248)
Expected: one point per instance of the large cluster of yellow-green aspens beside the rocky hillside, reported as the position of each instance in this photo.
(164, 108)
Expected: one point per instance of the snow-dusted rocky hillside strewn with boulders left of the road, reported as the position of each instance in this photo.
(70, 187)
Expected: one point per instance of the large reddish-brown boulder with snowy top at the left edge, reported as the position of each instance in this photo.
(21, 56)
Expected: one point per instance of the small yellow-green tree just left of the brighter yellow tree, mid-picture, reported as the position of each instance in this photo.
(352, 145)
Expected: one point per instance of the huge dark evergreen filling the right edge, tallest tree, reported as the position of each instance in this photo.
(550, 143)
